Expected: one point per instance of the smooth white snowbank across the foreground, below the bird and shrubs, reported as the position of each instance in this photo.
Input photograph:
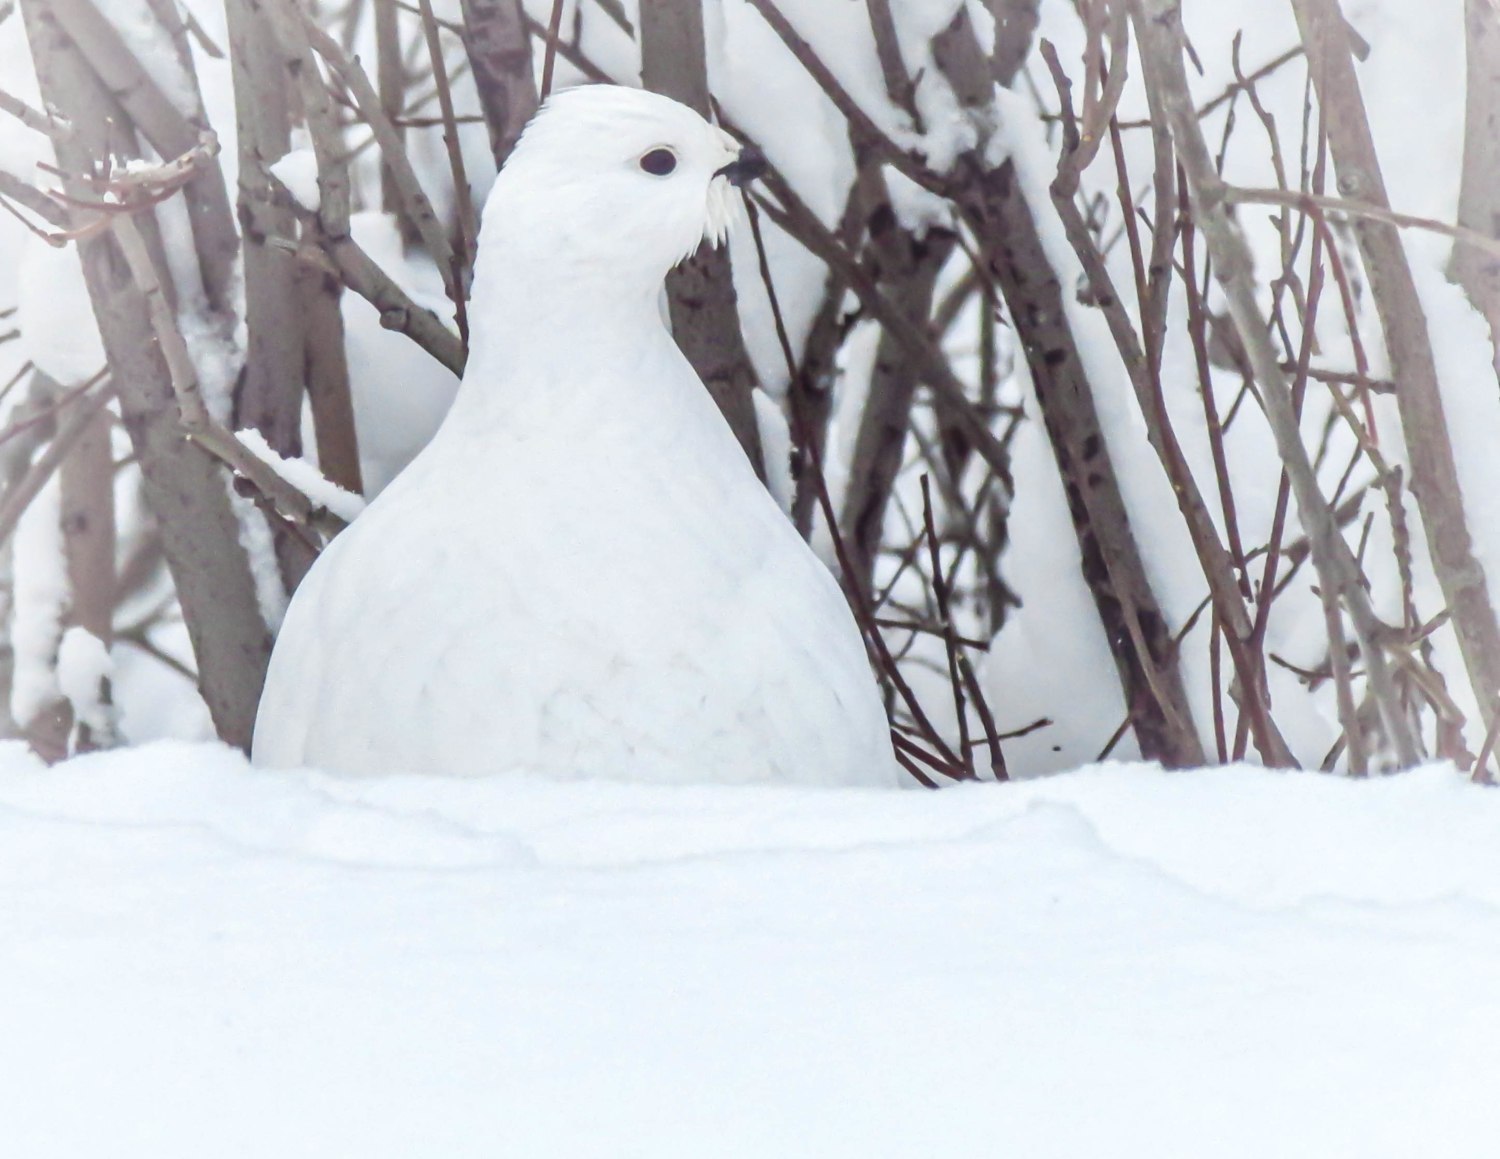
(205, 960)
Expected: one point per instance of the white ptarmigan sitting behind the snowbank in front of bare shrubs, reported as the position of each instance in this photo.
(581, 575)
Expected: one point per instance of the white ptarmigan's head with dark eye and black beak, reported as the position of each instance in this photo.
(620, 179)
